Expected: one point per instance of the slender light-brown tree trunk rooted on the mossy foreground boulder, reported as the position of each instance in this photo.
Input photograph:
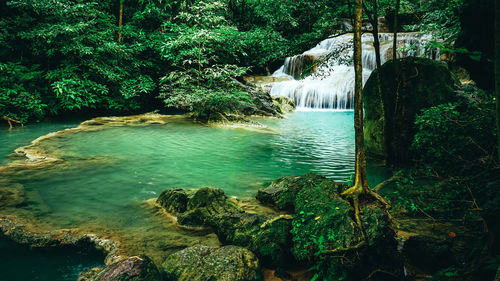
(360, 180)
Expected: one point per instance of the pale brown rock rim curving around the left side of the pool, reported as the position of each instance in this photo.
(34, 156)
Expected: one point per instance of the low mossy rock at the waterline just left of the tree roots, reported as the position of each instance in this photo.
(283, 191)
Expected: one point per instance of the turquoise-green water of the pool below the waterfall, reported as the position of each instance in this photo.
(136, 163)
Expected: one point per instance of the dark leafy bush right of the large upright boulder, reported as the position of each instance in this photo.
(458, 138)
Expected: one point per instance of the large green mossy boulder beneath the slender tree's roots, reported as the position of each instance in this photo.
(326, 236)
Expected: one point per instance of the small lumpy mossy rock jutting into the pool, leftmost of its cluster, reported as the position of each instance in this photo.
(194, 207)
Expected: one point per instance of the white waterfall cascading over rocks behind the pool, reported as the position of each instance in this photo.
(331, 85)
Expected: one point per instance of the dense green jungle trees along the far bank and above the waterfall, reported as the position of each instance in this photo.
(64, 56)
